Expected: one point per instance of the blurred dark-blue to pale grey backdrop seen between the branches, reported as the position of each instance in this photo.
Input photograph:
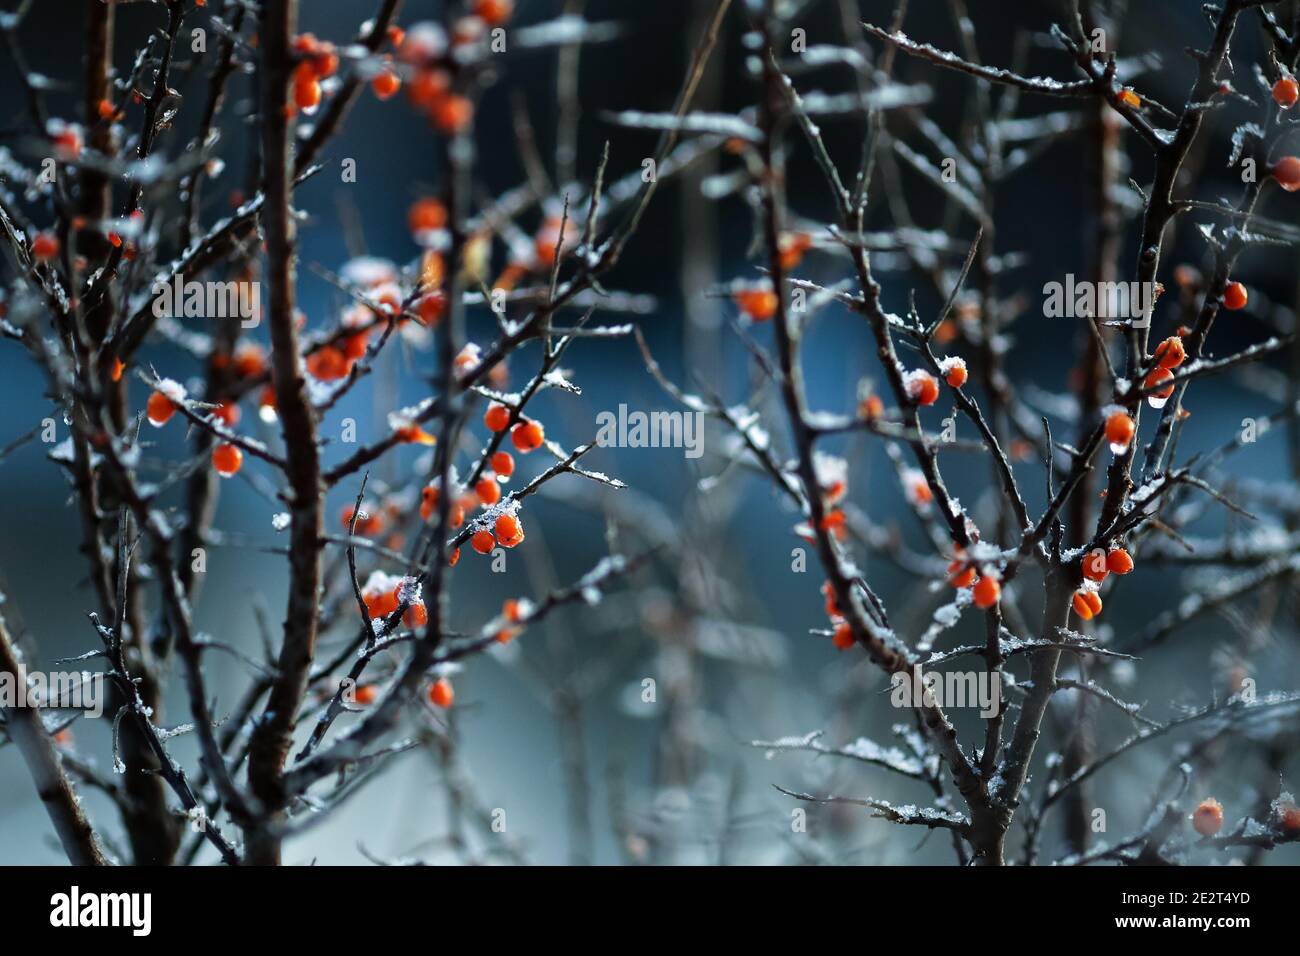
(554, 728)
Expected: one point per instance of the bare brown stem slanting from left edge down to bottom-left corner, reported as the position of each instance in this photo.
(28, 730)
